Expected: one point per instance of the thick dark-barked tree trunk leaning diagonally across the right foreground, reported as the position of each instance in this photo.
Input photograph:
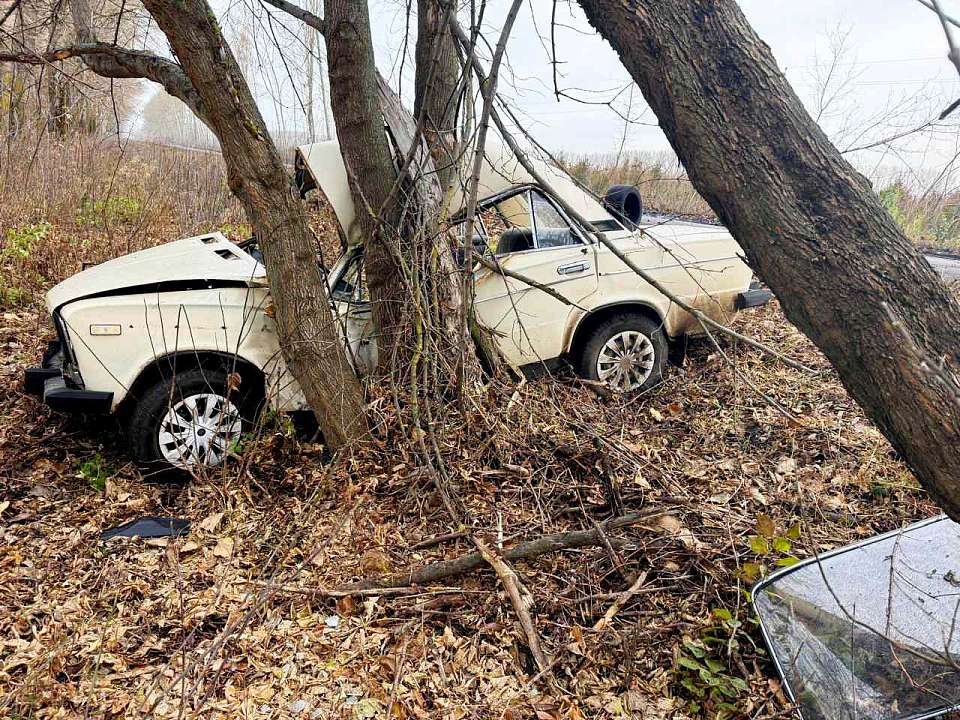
(843, 271)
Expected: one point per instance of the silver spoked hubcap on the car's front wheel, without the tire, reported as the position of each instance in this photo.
(199, 430)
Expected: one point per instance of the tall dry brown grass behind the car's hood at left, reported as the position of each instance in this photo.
(86, 200)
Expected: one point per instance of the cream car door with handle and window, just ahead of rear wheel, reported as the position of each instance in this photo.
(530, 235)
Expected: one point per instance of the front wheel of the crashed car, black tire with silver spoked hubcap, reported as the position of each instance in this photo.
(191, 420)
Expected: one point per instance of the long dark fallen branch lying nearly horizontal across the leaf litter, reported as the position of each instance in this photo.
(434, 572)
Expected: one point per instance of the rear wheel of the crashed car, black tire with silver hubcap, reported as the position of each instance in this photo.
(637, 337)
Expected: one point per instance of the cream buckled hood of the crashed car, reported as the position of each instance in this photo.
(196, 262)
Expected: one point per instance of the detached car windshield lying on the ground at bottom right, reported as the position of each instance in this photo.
(871, 631)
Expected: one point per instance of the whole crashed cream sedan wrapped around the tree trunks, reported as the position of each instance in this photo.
(177, 340)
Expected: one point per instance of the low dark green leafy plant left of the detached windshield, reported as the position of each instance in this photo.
(702, 672)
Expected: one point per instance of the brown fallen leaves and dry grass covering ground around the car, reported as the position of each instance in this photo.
(274, 605)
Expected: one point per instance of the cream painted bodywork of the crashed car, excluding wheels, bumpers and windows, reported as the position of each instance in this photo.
(204, 294)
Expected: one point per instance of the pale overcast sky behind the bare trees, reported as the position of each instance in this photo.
(893, 69)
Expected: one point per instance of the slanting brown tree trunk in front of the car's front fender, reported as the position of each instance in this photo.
(311, 346)
